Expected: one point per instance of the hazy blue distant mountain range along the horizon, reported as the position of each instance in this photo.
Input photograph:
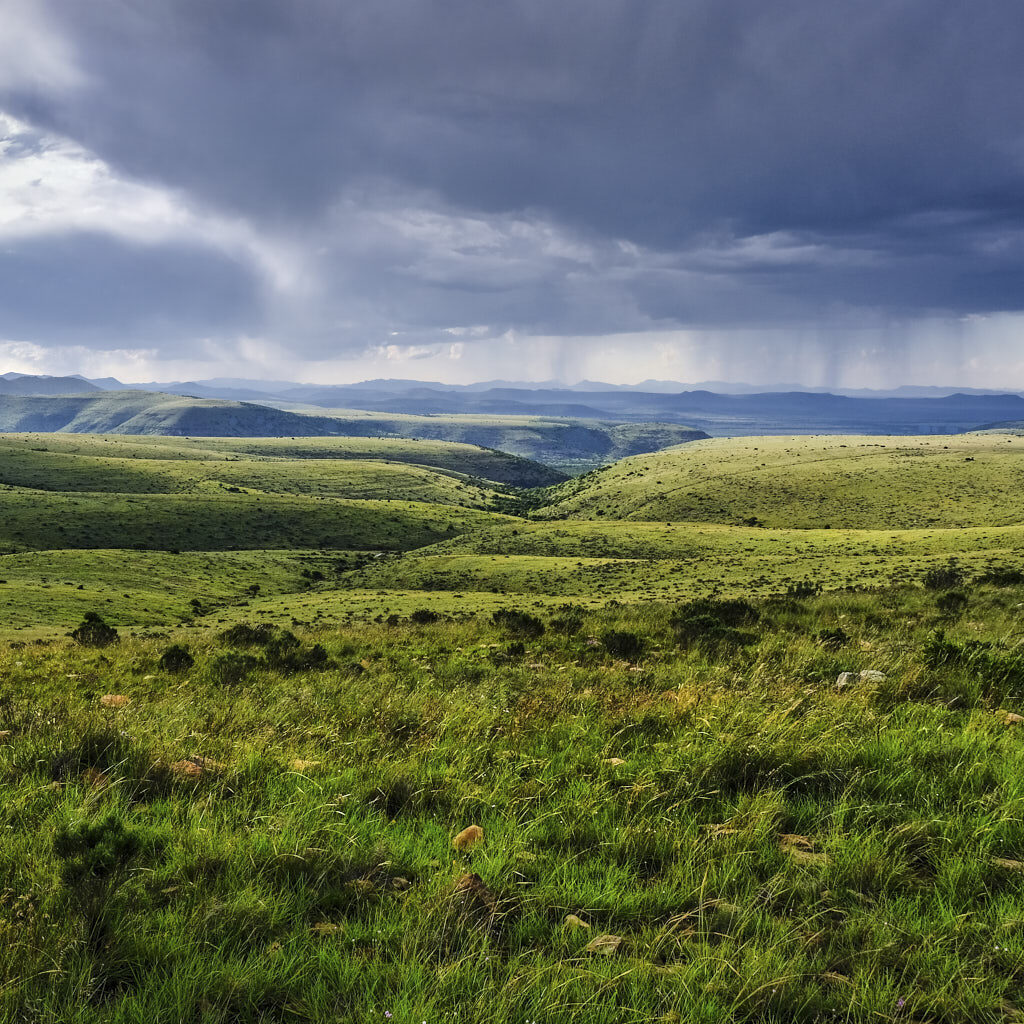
(237, 407)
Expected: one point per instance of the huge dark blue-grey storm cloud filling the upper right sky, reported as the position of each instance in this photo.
(773, 162)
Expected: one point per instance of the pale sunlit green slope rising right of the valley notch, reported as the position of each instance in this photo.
(812, 483)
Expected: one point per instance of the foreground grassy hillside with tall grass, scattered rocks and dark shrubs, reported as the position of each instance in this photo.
(697, 832)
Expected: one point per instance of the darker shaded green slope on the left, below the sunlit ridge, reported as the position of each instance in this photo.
(40, 520)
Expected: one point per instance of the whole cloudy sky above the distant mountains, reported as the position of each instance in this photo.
(819, 192)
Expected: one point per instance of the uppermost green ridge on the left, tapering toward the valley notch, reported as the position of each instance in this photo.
(63, 462)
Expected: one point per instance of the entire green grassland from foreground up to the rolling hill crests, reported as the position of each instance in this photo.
(689, 816)
